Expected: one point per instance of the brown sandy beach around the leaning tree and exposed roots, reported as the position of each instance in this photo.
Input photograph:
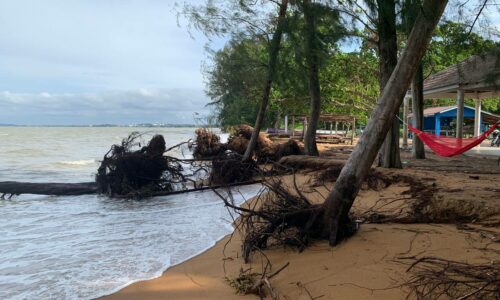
(370, 265)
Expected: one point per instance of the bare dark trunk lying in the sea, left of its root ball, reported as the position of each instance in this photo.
(56, 189)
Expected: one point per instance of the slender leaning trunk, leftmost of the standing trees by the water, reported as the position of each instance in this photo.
(273, 59)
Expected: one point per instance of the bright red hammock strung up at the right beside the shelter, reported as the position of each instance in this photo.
(447, 146)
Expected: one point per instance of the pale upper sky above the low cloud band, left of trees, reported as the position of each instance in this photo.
(89, 45)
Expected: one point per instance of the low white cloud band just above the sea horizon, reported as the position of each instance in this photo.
(116, 107)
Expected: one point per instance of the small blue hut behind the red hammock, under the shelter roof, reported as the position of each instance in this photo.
(441, 120)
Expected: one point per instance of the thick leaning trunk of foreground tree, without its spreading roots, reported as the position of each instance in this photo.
(338, 203)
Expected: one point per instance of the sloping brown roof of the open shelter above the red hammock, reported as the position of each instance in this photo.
(478, 76)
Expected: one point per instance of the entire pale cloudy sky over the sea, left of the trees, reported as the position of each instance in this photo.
(98, 61)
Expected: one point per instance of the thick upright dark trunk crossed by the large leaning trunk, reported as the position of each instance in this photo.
(388, 58)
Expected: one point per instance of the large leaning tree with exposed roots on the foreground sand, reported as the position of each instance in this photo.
(331, 220)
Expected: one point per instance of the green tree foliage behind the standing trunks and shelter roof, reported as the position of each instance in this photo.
(349, 81)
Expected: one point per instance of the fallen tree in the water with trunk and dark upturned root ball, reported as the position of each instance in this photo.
(127, 170)
